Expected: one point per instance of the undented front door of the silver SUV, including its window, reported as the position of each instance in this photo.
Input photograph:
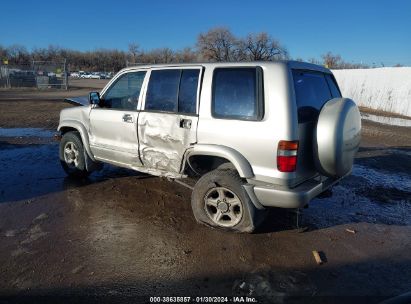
(113, 123)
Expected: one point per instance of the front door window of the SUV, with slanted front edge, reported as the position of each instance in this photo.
(124, 93)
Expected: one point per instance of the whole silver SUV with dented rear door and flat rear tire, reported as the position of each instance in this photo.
(256, 135)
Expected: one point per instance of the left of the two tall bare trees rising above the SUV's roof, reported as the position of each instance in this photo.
(217, 44)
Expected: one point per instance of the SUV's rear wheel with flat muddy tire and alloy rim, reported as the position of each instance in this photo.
(220, 201)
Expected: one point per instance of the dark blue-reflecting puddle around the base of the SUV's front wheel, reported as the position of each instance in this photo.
(28, 171)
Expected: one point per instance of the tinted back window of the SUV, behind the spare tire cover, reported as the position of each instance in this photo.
(312, 92)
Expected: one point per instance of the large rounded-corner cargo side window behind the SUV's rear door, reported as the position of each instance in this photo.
(237, 93)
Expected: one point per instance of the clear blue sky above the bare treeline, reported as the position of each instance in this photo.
(368, 31)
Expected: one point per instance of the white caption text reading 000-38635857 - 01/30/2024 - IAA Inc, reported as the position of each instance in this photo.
(203, 300)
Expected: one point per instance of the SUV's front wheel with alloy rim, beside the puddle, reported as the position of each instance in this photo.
(71, 154)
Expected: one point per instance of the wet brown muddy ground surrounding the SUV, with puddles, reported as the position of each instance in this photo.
(121, 235)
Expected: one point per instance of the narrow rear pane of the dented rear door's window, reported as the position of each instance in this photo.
(187, 97)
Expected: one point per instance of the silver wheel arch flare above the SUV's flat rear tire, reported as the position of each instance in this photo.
(237, 159)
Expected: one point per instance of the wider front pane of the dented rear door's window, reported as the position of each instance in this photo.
(162, 91)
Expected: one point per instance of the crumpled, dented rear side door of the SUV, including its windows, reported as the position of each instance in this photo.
(167, 126)
